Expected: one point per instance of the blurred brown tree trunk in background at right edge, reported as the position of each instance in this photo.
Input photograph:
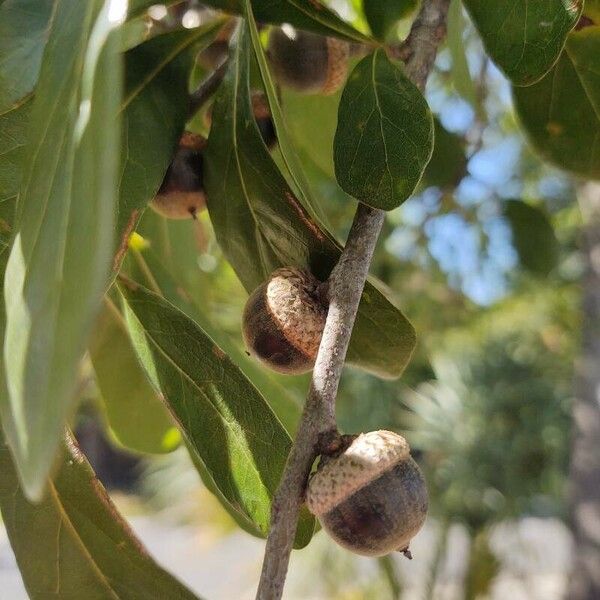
(585, 458)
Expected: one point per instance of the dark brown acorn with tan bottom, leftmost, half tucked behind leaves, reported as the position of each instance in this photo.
(181, 194)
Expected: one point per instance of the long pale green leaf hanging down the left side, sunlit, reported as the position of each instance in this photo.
(60, 260)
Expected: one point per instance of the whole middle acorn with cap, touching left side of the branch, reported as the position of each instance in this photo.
(283, 321)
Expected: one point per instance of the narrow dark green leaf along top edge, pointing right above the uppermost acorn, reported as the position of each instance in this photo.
(303, 14)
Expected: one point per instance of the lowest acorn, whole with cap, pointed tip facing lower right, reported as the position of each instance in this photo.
(371, 498)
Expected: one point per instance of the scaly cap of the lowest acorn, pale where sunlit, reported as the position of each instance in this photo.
(367, 458)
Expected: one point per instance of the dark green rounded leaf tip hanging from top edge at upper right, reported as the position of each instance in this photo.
(524, 37)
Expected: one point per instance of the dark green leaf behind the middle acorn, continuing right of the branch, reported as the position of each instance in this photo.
(261, 226)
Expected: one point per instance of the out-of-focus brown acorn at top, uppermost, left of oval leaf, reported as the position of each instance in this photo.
(307, 62)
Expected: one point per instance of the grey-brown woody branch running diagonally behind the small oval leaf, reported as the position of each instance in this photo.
(317, 430)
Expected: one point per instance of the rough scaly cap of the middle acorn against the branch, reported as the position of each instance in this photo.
(292, 301)
